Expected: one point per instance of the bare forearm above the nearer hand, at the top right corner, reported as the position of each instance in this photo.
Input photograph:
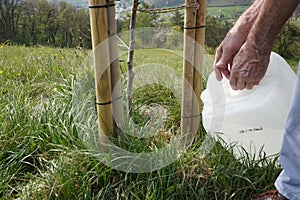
(272, 16)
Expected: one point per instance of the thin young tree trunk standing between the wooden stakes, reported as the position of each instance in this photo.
(130, 56)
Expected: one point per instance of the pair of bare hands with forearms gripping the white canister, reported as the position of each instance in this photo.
(244, 54)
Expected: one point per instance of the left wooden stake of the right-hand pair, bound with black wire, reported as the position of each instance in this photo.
(188, 70)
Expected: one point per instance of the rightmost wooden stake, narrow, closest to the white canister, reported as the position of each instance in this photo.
(199, 57)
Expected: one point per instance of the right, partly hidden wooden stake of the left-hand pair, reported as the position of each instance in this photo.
(115, 68)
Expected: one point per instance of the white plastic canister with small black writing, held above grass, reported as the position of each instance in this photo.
(252, 119)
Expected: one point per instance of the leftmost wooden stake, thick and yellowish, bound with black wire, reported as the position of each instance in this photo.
(99, 30)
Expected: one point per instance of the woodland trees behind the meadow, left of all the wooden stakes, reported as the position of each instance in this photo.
(47, 23)
